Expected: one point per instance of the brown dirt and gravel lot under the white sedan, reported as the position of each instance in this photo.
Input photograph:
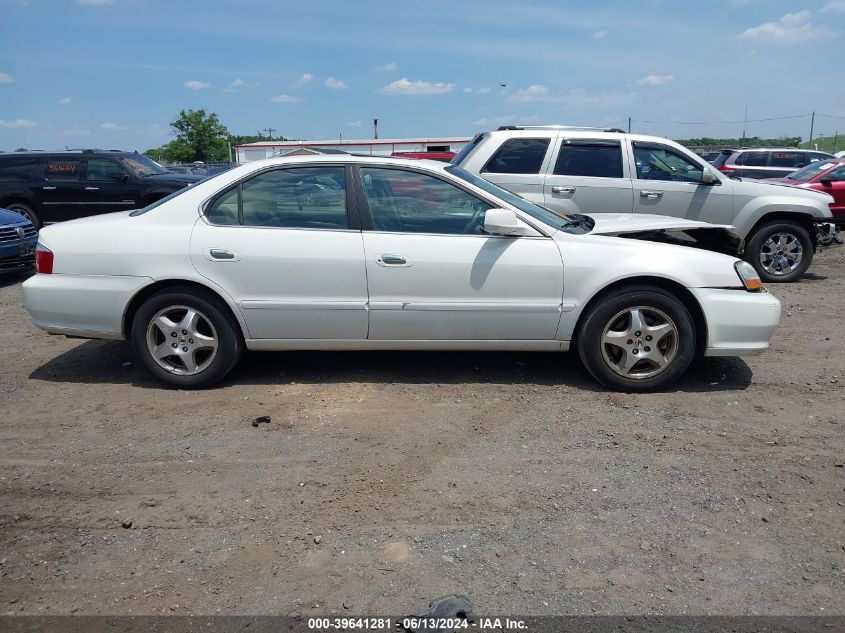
(385, 480)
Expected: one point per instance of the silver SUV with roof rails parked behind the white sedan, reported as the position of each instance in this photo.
(589, 170)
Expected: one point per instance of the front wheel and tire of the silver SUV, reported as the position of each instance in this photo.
(772, 250)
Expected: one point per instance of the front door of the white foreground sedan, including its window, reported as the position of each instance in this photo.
(434, 275)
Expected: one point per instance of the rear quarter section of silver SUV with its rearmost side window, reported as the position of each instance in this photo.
(519, 165)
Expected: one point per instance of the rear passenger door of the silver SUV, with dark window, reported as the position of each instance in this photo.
(588, 176)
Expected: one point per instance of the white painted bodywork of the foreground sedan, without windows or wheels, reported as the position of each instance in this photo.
(324, 289)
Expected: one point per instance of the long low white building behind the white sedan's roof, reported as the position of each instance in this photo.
(375, 147)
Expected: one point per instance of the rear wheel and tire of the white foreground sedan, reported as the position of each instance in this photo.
(205, 347)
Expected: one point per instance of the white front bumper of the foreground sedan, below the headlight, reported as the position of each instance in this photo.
(739, 323)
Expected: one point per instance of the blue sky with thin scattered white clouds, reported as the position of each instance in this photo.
(114, 73)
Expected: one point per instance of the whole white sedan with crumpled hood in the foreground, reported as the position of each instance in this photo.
(350, 252)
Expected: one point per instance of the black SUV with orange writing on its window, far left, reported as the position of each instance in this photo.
(53, 186)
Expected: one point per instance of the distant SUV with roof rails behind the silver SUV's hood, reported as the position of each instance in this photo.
(765, 162)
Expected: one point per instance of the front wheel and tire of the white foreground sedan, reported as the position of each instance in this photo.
(655, 358)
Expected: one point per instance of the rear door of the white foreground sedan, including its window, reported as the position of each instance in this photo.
(294, 267)
